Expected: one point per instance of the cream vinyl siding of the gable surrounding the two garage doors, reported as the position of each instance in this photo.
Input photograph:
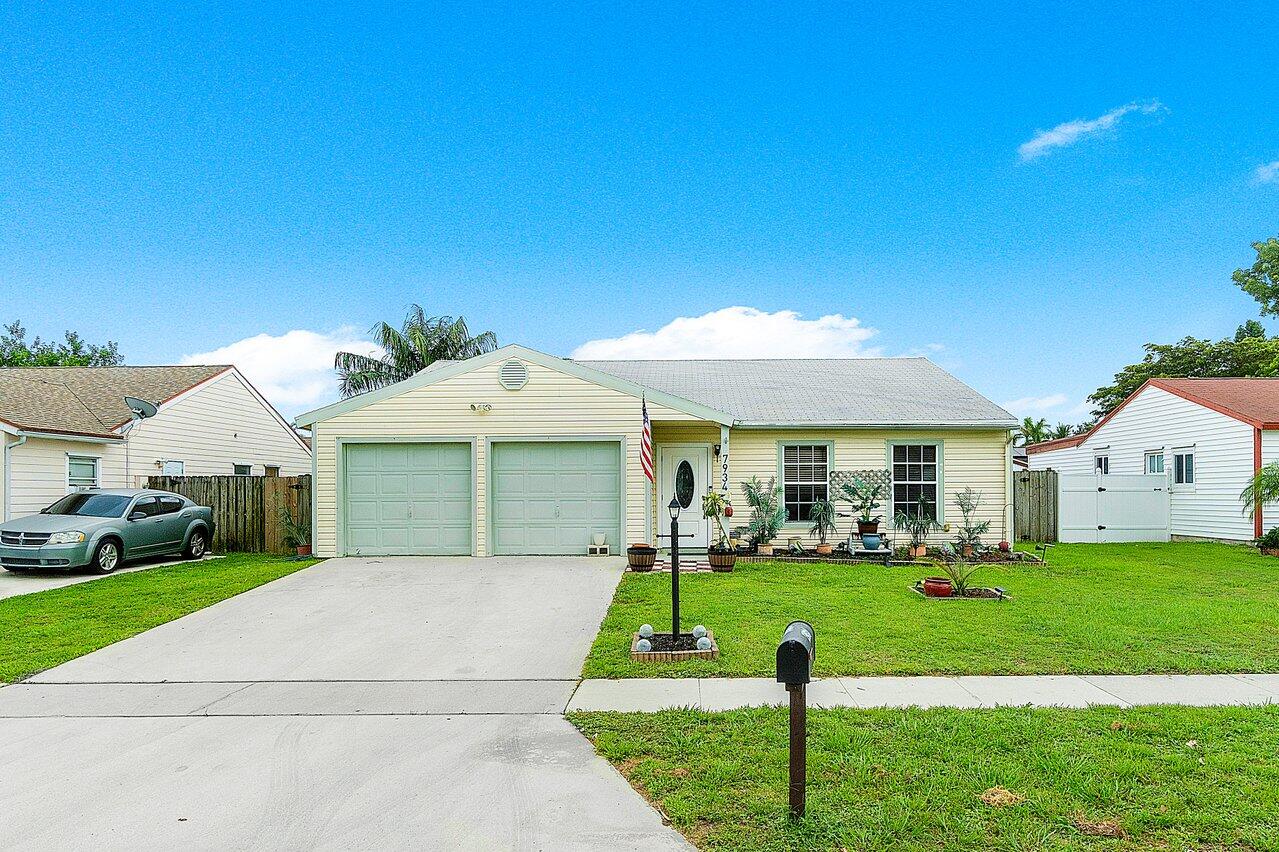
(553, 404)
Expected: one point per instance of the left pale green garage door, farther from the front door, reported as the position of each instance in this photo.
(407, 500)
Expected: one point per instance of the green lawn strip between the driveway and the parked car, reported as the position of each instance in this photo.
(48, 629)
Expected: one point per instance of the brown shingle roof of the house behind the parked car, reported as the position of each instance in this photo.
(89, 401)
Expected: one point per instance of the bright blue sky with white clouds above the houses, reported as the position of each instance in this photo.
(1024, 195)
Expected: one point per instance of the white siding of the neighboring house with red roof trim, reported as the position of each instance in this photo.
(1157, 420)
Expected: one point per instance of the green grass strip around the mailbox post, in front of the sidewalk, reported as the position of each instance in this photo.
(1167, 778)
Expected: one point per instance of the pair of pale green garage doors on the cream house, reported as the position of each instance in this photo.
(419, 498)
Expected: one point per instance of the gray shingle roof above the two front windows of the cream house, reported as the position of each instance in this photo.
(854, 392)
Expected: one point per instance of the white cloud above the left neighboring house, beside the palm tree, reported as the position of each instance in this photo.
(294, 370)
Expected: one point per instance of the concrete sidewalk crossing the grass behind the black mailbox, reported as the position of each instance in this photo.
(648, 695)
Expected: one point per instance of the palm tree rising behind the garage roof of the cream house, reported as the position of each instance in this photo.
(419, 343)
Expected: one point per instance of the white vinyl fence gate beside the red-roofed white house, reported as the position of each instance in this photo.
(1116, 507)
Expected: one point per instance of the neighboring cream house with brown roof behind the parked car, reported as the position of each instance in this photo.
(68, 428)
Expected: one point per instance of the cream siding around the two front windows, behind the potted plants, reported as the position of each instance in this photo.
(969, 459)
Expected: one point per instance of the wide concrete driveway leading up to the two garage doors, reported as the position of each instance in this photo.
(357, 704)
